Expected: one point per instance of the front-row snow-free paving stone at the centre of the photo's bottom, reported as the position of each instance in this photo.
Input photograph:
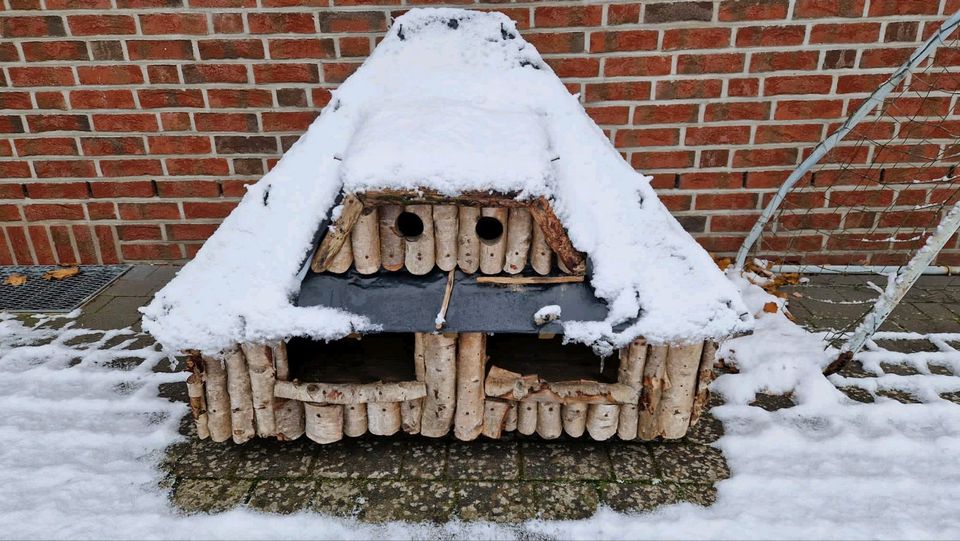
(496, 502)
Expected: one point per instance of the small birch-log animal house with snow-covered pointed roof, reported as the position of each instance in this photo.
(434, 259)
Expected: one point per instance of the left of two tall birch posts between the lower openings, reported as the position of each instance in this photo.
(440, 363)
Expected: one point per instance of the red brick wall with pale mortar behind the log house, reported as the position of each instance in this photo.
(131, 126)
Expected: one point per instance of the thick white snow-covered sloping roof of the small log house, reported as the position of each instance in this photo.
(455, 101)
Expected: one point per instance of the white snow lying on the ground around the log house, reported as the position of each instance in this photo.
(80, 439)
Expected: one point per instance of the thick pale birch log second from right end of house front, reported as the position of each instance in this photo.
(676, 402)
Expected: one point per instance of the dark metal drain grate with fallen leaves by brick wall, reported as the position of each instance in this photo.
(39, 295)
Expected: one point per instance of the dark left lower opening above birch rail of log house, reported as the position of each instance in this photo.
(386, 357)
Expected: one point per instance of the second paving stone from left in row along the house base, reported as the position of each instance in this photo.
(270, 459)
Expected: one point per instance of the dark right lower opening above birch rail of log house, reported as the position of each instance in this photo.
(550, 359)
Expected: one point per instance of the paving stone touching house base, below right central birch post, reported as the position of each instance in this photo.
(483, 460)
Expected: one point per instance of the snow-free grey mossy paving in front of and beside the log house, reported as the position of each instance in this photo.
(415, 478)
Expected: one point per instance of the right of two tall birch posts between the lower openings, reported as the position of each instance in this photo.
(471, 356)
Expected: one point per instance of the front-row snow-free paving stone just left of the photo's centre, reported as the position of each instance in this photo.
(411, 501)
